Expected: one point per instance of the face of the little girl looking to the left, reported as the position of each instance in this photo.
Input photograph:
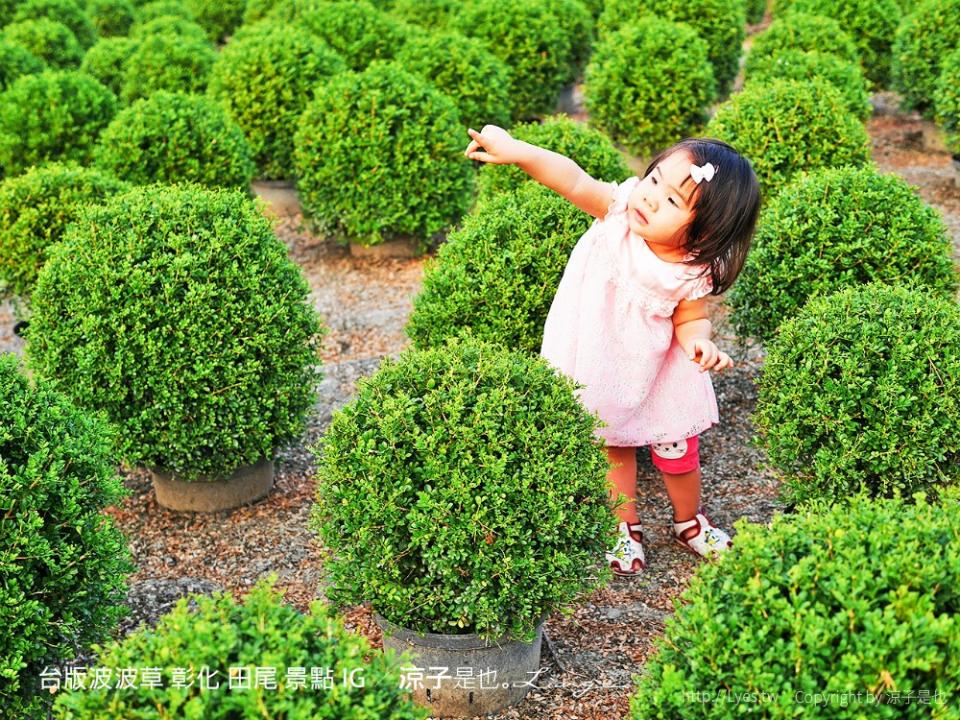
(661, 206)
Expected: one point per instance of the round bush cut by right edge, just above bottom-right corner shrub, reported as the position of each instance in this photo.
(862, 388)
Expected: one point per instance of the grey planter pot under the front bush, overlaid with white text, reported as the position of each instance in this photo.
(498, 673)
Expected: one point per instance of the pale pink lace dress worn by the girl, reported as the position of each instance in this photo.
(610, 329)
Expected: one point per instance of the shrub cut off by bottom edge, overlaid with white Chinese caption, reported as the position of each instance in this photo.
(218, 633)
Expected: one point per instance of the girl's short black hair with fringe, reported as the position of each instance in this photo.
(725, 209)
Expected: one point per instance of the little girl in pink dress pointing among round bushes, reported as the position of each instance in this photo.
(629, 320)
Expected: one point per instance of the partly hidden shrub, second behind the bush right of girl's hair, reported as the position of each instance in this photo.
(799, 31)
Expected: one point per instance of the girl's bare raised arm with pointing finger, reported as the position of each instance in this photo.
(556, 171)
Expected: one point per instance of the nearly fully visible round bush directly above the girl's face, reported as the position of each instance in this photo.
(626, 77)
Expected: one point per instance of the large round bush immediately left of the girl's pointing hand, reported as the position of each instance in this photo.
(379, 155)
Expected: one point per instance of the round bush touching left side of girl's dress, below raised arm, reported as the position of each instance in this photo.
(496, 275)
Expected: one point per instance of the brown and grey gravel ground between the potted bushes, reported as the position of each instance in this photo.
(589, 658)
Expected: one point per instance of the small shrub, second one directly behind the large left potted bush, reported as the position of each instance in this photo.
(166, 61)
